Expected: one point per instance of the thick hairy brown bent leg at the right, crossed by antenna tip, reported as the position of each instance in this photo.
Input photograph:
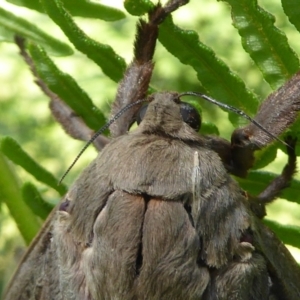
(275, 114)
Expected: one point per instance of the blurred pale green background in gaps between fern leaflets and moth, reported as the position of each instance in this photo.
(25, 116)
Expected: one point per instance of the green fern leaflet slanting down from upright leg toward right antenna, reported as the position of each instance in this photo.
(214, 75)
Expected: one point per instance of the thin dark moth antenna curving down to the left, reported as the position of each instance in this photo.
(100, 131)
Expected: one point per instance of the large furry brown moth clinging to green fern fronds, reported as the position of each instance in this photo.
(157, 215)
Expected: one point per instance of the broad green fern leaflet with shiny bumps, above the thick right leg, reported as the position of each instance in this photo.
(266, 44)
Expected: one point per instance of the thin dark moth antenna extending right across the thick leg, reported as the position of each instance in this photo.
(235, 110)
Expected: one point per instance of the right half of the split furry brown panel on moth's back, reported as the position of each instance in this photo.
(170, 250)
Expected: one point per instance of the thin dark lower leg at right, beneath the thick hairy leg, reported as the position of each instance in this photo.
(279, 183)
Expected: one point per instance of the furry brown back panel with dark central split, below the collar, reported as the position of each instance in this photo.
(142, 248)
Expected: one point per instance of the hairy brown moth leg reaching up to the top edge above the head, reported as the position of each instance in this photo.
(134, 85)
